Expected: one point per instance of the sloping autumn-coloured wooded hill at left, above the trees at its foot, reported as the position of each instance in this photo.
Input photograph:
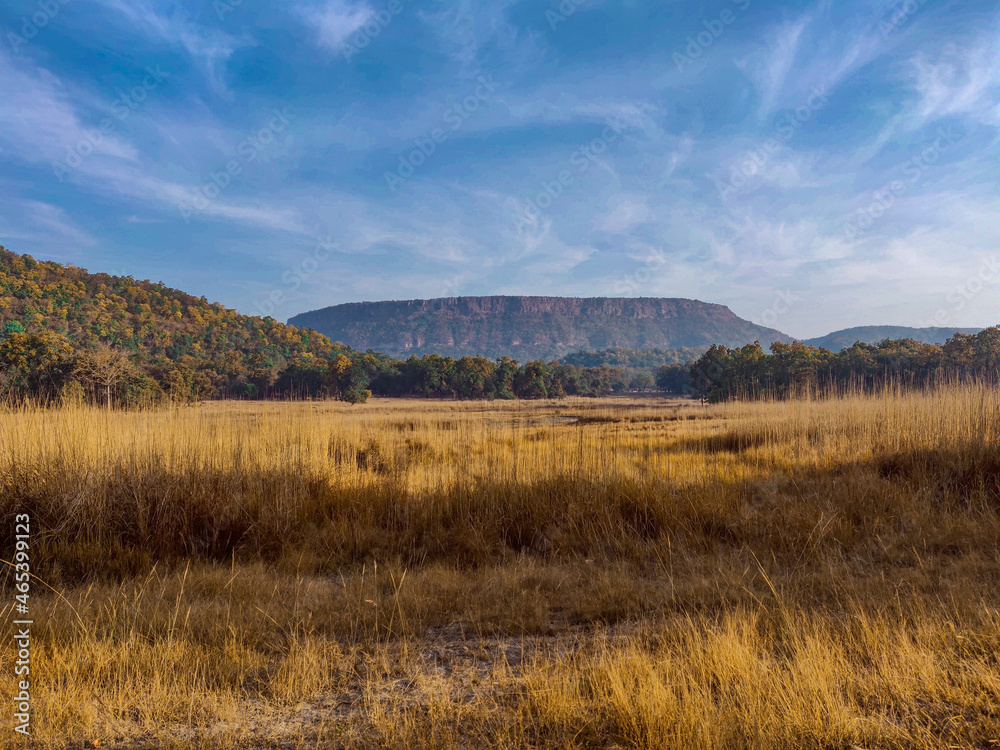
(49, 311)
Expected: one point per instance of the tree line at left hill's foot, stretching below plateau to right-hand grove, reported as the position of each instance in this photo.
(45, 367)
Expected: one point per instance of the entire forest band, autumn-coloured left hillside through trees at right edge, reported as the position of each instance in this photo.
(69, 336)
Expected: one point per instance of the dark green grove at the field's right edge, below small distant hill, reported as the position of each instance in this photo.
(796, 369)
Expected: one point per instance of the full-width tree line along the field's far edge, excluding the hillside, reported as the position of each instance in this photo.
(46, 367)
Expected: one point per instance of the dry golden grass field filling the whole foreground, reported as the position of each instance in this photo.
(574, 574)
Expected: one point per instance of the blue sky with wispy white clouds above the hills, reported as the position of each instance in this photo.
(812, 165)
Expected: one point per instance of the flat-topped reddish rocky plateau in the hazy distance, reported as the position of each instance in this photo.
(531, 327)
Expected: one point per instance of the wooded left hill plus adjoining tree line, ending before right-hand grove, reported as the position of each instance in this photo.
(68, 335)
